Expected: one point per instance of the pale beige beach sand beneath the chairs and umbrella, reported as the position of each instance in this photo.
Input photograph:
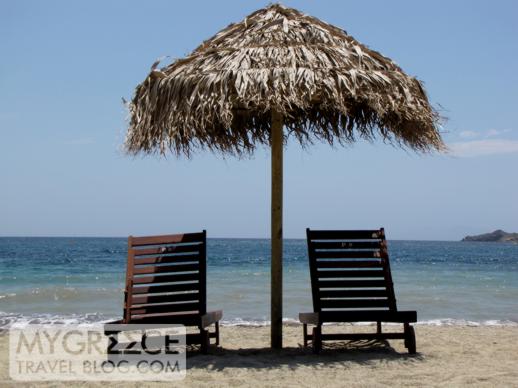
(449, 356)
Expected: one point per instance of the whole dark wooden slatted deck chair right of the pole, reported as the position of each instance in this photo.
(351, 282)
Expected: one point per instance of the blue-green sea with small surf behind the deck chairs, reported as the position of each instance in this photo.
(76, 280)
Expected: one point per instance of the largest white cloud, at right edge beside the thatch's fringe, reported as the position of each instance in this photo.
(483, 147)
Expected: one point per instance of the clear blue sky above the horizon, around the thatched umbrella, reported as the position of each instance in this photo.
(64, 67)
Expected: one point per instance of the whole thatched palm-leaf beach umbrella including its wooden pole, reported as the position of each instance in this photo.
(278, 68)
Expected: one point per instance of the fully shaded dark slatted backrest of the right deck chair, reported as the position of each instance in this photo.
(350, 270)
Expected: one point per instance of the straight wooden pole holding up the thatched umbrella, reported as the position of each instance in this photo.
(276, 261)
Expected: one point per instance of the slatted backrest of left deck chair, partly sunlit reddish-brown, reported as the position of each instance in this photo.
(166, 274)
